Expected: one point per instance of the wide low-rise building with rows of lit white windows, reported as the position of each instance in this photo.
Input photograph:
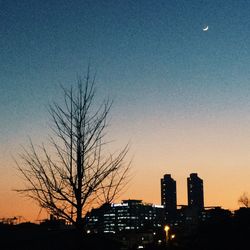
(126, 216)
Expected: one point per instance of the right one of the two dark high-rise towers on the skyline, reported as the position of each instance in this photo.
(195, 192)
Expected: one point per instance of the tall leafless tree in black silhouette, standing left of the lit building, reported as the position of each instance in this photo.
(78, 173)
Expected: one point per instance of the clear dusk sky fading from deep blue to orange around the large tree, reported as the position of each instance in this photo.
(181, 95)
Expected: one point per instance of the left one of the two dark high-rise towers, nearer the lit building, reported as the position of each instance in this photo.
(168, 197)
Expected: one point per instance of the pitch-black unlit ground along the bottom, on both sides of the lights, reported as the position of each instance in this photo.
(228, 234)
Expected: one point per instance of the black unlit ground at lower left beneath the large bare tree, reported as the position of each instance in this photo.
(33, 237)
